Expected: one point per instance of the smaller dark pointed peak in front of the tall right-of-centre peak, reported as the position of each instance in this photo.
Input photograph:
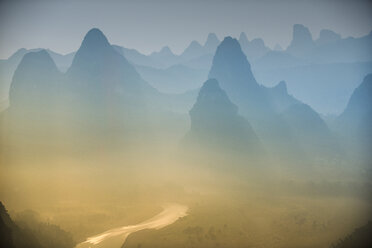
(216, 125)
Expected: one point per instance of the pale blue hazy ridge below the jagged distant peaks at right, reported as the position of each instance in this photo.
(325, 87)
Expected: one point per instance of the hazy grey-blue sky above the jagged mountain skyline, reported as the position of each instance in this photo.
(147, 25)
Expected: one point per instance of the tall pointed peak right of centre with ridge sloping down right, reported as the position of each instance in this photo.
(274, 114)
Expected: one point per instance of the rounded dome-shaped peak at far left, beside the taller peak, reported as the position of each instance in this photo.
(35, 82)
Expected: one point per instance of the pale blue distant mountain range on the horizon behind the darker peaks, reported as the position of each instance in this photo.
(322, 73)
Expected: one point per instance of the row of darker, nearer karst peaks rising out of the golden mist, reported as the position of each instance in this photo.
(104, 92)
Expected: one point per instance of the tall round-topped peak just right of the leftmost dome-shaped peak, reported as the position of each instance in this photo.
(104, 77)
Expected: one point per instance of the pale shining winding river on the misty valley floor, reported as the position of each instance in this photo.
(115, 238)
